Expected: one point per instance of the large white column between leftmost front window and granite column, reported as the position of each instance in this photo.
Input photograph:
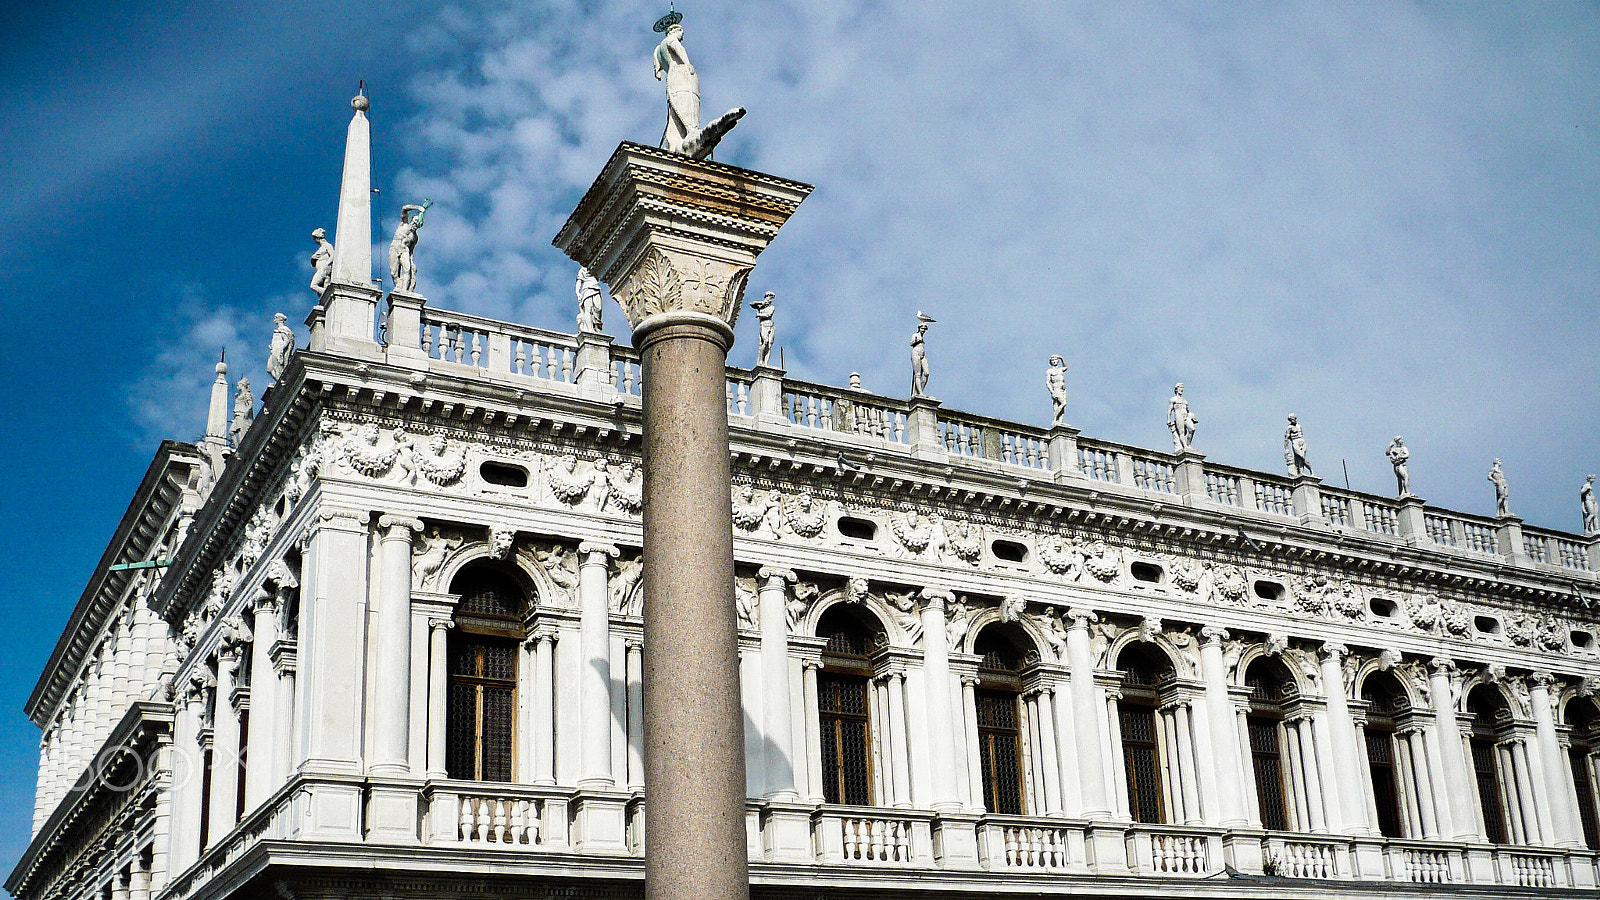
(596, 681)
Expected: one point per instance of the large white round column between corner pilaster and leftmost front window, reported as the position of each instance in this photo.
(393, 635)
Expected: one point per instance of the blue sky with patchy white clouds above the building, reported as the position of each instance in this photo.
(1378, 217)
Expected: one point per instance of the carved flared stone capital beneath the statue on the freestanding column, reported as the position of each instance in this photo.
(673, 235)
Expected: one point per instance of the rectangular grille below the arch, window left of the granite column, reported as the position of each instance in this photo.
(481, 709)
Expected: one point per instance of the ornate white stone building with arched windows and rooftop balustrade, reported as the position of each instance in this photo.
(388, 645)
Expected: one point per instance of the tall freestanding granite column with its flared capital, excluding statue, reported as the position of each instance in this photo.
(676, 241)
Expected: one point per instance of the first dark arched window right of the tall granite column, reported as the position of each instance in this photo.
(844, 691)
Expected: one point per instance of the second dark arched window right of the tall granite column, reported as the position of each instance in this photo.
(998, 702)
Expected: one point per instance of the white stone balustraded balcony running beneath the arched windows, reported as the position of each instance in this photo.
(494, 829)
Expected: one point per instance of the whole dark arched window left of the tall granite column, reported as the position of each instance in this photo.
(482, 697)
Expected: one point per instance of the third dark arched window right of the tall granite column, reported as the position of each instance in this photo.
(1143, 670)
